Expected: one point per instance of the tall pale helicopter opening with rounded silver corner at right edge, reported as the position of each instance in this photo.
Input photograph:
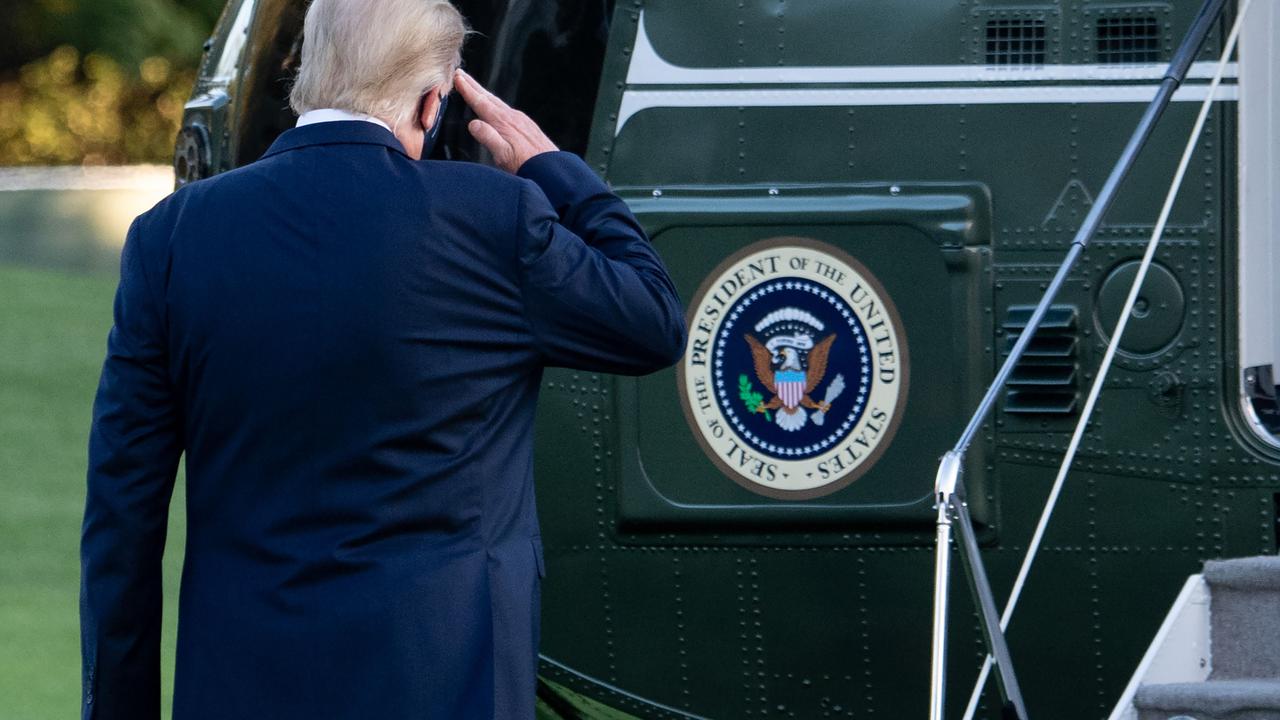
(1260, 221)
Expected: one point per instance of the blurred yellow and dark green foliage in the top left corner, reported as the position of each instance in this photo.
(98, 81)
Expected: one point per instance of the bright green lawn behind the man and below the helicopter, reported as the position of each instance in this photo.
(53, 338)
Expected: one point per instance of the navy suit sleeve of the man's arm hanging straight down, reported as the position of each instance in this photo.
(135, 445)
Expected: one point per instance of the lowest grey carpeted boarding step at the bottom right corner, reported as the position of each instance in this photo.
(1213, 700)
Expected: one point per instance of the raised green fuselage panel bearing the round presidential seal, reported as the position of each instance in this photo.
(838, 336)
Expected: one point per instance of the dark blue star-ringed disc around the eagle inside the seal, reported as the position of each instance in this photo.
(776, 315)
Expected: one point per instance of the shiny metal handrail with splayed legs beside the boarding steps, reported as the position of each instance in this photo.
(949, 487)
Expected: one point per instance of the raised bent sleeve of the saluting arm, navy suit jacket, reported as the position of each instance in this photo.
(596, 293)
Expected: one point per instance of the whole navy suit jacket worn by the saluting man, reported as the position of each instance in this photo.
(348, 345)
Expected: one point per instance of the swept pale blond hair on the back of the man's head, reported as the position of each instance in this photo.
(377, 57)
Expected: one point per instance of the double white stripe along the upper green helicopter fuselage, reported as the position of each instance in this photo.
(986, 85)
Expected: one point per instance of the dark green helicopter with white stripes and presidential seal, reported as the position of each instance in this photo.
(862, 206)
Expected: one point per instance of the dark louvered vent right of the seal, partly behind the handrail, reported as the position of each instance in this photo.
(1045, 381)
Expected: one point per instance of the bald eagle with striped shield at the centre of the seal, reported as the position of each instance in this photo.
(792, 366)
